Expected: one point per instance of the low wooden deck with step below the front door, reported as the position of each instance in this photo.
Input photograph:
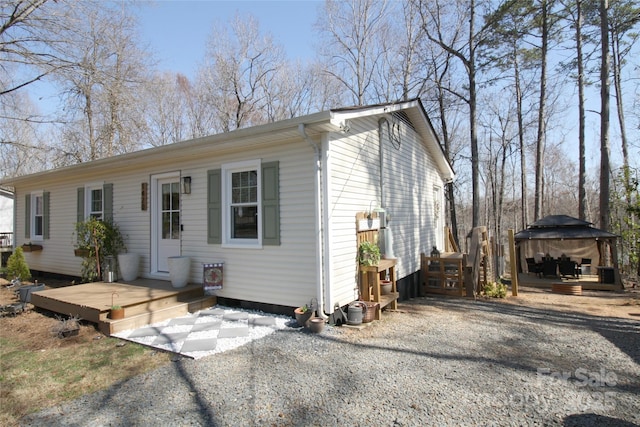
(145, 301)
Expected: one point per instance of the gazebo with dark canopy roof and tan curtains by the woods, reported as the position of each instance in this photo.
(562, 236)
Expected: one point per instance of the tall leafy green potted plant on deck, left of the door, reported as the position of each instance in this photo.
(95, 240)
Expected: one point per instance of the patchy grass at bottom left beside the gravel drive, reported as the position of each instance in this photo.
(32, 379)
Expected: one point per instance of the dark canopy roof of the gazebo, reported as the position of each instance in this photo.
(559, 227)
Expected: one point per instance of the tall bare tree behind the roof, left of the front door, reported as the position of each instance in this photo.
(102, 86)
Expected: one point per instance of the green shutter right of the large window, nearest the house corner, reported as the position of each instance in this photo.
(270, 204)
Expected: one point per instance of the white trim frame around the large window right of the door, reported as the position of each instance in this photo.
(227, 170)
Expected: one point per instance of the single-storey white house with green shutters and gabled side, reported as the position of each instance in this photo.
(276, 203)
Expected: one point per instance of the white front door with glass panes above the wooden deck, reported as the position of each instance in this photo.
(166, 223)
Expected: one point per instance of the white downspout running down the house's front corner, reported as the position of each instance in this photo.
(320, 276)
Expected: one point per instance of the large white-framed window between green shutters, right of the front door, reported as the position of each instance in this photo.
(241, 195)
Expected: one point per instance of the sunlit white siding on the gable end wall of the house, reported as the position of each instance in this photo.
(409, 176)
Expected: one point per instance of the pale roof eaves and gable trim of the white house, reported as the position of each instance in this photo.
(314, 126)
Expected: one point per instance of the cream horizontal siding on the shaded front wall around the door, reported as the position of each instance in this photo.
(283, 275)
